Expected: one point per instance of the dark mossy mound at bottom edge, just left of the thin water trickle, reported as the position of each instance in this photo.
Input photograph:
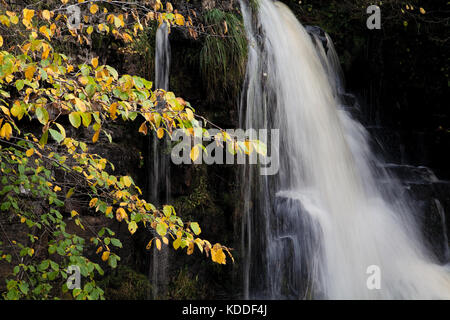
(125, 283)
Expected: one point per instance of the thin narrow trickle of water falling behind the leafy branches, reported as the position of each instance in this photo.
(159, 178)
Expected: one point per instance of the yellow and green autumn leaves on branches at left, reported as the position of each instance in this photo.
(45, 87)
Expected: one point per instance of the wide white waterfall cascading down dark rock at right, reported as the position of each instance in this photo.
(312, 230)
